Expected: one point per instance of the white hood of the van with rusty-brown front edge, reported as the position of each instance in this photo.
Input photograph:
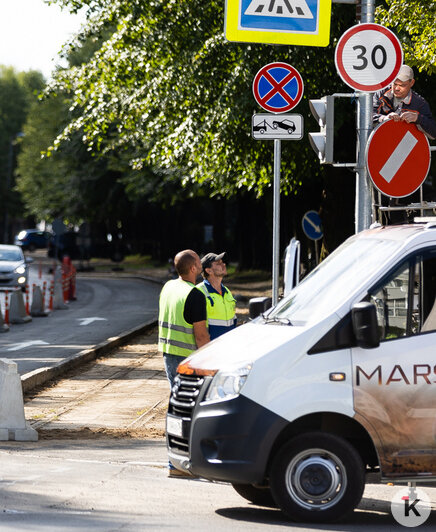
(245, 344)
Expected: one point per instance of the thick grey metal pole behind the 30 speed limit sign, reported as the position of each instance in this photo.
(364, 128)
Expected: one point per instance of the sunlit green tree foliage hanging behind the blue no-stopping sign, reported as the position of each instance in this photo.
(173, 99)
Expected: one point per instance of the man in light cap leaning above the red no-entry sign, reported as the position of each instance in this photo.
(400, 103)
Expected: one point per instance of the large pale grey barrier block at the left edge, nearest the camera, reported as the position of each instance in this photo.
(13, 425)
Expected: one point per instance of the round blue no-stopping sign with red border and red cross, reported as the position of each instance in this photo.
(278, 87)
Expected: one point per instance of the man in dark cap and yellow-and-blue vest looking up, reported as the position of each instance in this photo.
(219, 300)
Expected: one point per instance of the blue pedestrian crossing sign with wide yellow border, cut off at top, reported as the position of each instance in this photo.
(297, 22)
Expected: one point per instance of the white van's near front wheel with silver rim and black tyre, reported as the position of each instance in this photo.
(317, 477)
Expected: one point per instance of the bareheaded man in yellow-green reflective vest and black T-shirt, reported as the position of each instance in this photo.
(182, 313)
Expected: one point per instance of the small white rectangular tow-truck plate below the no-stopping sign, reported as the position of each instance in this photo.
(283, 127)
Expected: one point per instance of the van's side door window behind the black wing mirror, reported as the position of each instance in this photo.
(406, 299)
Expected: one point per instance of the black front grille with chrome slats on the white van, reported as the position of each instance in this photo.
(184, 394)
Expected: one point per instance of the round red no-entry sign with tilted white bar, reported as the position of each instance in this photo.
(398, 158)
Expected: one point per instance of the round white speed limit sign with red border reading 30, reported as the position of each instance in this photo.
(368, 57)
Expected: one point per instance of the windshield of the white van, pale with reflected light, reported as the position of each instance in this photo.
(330, 284)
